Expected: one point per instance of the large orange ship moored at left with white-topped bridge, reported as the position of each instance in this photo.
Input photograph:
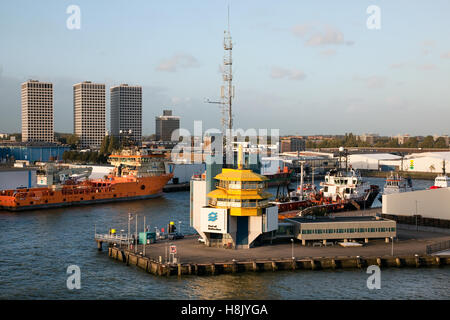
(136, 175)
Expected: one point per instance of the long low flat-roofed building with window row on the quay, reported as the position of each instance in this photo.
(342, 228)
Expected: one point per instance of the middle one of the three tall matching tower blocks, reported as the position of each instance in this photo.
(89, 113)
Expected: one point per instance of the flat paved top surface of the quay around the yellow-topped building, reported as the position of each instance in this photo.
(189, 250)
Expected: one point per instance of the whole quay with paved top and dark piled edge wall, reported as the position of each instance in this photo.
(195, 258)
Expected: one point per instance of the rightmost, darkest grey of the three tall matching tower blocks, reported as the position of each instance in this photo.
(126, 112)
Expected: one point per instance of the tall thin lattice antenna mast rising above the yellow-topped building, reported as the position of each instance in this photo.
(227, 90)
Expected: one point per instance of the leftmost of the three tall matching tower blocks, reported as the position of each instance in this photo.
(37, 111)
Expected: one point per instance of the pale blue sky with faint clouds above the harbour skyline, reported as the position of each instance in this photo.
(303, 67)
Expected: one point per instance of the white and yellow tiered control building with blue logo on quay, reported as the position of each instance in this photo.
(234, 212)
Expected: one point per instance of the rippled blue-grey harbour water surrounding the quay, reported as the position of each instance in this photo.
(38, 246)
